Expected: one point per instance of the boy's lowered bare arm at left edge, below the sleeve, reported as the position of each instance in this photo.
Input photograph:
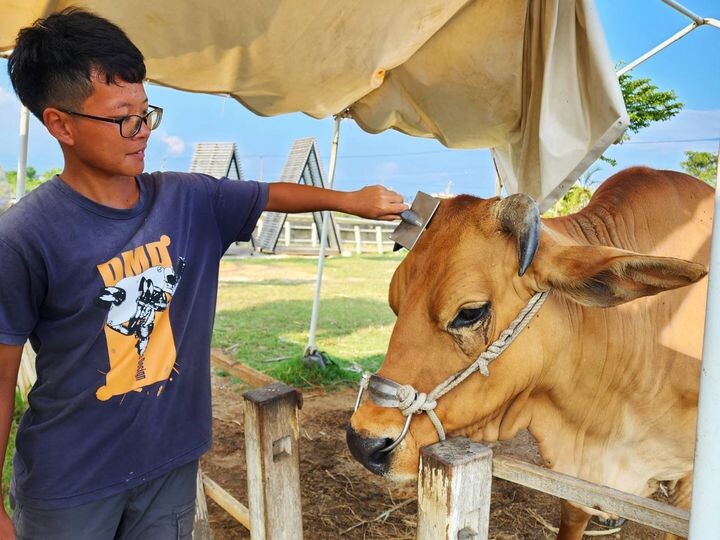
(10, 356)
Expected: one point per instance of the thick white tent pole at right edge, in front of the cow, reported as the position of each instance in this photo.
(705, 498)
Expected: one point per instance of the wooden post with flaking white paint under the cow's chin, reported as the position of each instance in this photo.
(454, 491)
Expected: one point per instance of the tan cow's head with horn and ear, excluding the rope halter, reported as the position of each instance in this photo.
(470, 274)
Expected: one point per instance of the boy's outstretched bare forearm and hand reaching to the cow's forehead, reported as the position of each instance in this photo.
(373, 202)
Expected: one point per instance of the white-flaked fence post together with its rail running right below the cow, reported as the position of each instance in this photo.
(462, 505)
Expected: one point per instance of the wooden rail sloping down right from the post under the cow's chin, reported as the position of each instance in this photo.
(638, 509)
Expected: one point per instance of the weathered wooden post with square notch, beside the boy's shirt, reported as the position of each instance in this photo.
(273, 462)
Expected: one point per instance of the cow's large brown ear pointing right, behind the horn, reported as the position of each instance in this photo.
(604, 277)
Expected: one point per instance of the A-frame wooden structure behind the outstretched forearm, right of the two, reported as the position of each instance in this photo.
(302, 167)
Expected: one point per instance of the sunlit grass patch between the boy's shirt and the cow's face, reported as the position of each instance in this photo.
(264, 307)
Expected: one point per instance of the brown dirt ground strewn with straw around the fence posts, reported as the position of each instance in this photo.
(341, 499)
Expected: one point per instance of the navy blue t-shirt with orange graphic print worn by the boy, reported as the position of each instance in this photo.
(119, 307)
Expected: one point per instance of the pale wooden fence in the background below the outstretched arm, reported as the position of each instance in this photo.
(357, 235)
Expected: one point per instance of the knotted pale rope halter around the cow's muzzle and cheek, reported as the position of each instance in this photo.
(387, 393)
